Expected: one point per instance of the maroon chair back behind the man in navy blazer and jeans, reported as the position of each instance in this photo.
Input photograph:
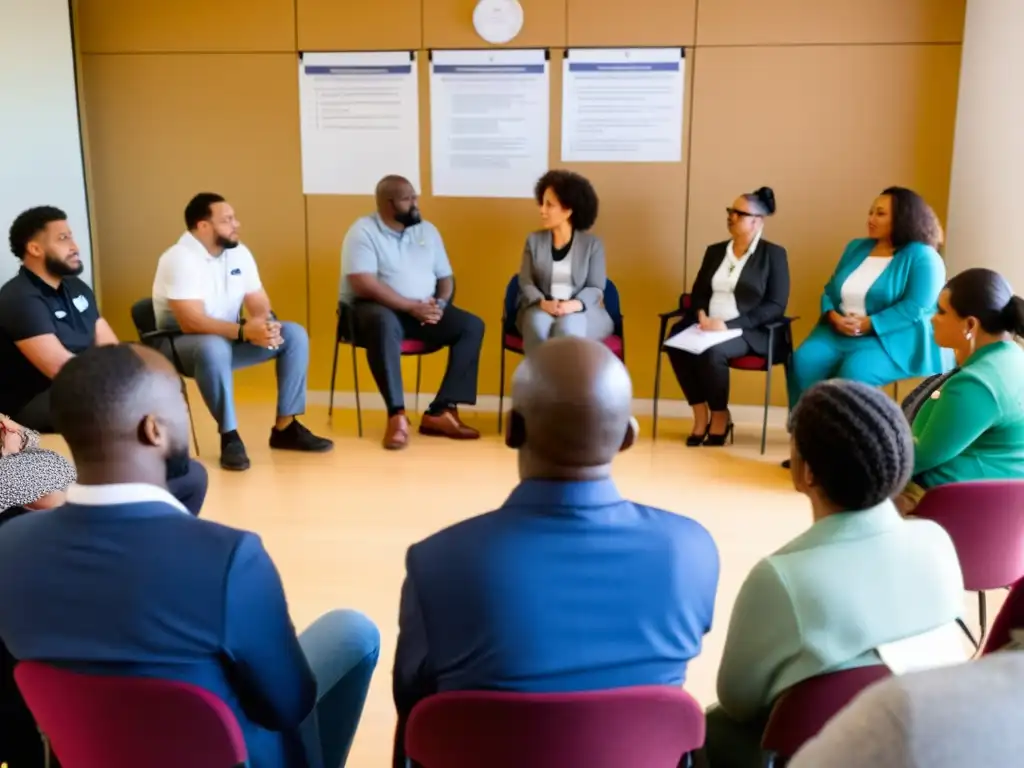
(123, 722)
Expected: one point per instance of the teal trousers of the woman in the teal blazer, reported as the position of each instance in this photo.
(827, 355)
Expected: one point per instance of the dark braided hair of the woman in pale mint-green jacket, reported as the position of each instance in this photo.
(857, 442)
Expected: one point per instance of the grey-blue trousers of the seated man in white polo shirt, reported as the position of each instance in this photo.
(211, 361)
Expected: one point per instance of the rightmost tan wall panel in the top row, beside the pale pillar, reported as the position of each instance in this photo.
(816, 22)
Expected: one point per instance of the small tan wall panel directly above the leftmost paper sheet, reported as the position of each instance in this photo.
(330, 26)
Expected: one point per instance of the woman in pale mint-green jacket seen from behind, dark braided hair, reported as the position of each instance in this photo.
(862, 577)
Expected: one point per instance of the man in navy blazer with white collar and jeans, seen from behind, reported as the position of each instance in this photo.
(123, 581)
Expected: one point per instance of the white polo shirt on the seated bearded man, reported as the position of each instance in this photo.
(187, 271)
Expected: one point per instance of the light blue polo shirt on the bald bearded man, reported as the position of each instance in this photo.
(409, 263)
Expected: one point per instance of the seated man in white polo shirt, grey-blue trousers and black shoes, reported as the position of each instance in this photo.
(203, 282)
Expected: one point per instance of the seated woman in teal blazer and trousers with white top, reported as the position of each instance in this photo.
(876, 309)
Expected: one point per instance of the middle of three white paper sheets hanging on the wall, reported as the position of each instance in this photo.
(490, 113)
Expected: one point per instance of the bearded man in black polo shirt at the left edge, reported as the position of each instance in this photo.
(48, 316)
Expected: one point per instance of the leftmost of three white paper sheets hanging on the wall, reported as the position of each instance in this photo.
(361, 121)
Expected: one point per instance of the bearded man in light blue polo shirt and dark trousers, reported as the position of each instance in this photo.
(397, 278)
